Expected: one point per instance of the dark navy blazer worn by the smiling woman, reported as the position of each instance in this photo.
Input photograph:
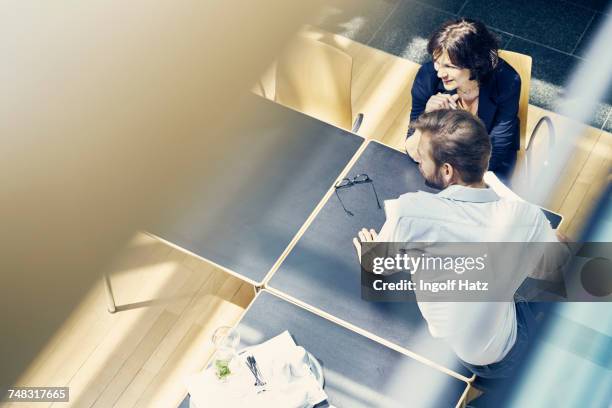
(498, 104)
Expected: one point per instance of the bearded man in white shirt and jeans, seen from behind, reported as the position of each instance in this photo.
(453, 155)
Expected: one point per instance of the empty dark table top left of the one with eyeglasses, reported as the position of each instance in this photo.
(283, 165)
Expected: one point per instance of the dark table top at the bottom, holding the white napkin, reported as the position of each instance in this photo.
(358, 371)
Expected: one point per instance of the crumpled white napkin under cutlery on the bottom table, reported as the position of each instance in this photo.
(289, 381)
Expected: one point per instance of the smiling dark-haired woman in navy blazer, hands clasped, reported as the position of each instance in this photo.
(466, 73)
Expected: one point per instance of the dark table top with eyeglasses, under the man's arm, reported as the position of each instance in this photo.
(322, 269)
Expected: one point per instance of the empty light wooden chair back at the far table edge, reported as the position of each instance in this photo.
(315, 78)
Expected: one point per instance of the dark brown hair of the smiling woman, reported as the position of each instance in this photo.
(469, 45)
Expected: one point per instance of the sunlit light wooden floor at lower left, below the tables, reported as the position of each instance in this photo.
(169, 305)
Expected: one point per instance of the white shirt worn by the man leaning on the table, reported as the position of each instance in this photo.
(479, 333)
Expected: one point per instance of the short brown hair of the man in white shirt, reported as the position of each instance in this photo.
(459, 139)
